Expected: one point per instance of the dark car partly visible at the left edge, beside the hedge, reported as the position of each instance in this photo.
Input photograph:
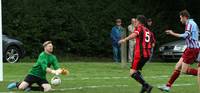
(13, 49)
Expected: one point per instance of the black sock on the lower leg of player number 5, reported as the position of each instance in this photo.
(138, 77)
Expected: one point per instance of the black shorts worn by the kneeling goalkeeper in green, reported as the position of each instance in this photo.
(30, 79)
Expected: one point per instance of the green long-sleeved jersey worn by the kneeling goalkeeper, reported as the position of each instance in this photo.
(44, 61)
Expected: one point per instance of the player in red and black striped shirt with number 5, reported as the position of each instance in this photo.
(142, 51)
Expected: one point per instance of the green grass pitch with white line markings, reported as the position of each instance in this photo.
(91, 77)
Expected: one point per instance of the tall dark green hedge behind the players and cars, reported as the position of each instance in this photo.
(82, 27)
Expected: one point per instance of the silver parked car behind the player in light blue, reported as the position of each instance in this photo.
(172, 50)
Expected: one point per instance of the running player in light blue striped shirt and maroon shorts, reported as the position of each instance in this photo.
(190, 54)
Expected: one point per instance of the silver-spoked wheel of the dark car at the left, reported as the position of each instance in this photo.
(12, 54)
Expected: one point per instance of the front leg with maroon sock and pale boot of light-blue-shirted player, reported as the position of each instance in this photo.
(173, 77)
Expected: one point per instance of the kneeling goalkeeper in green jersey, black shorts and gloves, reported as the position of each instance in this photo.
(38, 72)
